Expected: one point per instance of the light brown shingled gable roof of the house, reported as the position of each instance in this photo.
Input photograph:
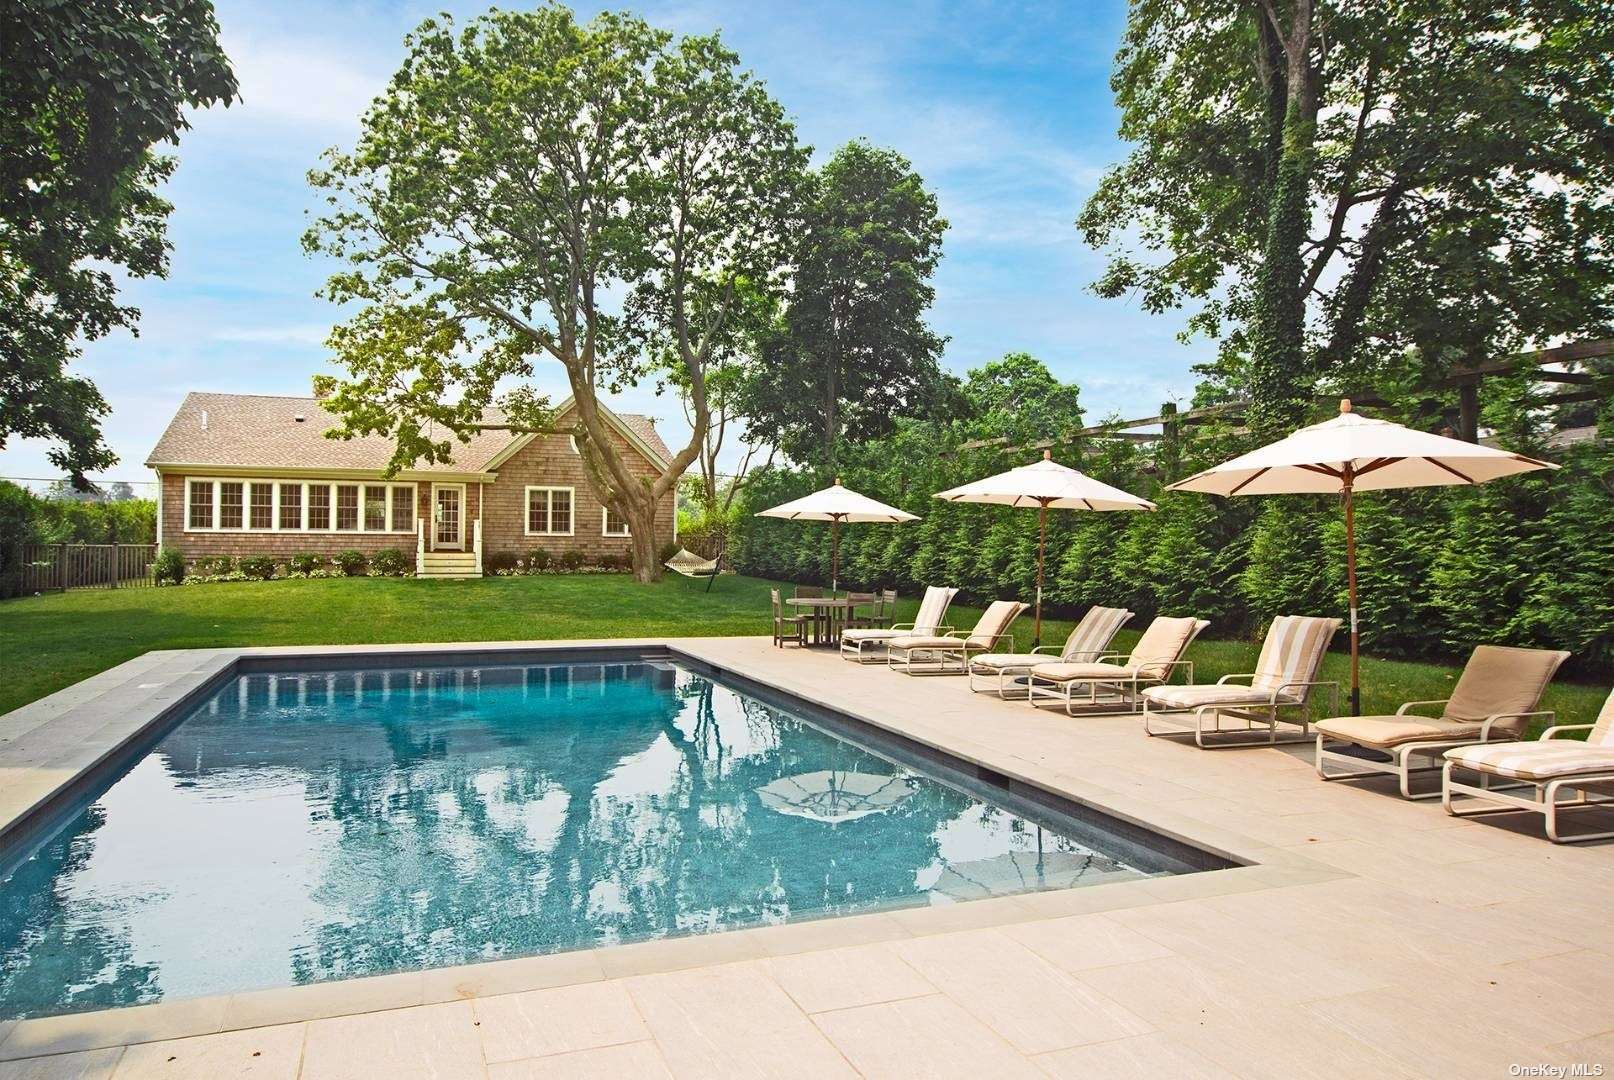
(269, 432)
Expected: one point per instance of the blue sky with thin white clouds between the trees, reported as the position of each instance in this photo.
(1005, 109)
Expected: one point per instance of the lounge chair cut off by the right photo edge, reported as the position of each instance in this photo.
(1549, 766)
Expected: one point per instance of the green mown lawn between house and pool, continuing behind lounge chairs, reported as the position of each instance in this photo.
(52, 642)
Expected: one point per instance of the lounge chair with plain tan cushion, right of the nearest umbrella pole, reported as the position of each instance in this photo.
(1495, 700)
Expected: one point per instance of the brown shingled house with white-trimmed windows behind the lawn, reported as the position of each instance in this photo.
(254, 475)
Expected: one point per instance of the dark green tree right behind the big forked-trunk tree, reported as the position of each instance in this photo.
(853, 350)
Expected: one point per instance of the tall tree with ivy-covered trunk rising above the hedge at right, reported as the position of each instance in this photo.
(1353, 195)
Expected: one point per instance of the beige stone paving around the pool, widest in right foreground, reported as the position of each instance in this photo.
(1376, 937)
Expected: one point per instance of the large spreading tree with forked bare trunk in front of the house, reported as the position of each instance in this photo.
(535, 188)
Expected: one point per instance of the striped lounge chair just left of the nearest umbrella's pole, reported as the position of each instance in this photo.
(1284, 682)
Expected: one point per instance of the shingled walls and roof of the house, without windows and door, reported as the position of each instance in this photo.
(246, 438)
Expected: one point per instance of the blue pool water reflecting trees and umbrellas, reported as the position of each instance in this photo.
(307, 827)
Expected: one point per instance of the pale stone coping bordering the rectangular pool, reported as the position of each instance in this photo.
(51, 748)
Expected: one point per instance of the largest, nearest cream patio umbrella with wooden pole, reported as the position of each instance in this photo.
(1353, 453)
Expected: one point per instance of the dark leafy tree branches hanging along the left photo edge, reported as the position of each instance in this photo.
(88, 90)
